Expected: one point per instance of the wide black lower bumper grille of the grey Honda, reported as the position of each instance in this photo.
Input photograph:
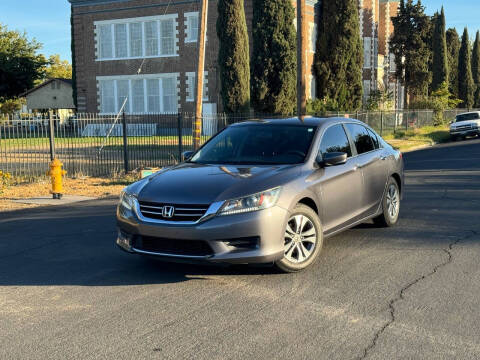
(173, 246)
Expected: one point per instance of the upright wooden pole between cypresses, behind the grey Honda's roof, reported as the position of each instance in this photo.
(301, 60)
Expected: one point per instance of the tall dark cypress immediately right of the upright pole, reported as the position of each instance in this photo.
(338, 63)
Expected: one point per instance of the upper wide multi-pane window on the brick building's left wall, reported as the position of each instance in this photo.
(137, 38)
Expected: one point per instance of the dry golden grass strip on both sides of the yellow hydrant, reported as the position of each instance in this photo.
(85, 186)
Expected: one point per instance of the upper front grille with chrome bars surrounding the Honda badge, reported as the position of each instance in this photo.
(181, 212)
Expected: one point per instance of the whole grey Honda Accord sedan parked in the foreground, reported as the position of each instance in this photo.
(264, 192)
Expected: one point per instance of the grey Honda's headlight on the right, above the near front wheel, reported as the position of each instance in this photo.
(255, 202)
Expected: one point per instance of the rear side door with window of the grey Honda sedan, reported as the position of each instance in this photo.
(372, 166)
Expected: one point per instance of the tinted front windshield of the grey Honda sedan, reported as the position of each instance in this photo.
(258, 144)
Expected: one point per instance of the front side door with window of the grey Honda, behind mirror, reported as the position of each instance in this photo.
(338, 187)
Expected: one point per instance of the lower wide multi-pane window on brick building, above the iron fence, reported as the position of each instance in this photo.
(143, 93)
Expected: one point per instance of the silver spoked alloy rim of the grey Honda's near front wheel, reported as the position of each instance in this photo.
(300, 239)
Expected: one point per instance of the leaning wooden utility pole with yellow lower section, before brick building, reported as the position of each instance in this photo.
(197, 129)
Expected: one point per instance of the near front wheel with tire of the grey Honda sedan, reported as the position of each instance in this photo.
(303, 240)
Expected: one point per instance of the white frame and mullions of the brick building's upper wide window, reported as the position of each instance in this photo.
(141, 20)
